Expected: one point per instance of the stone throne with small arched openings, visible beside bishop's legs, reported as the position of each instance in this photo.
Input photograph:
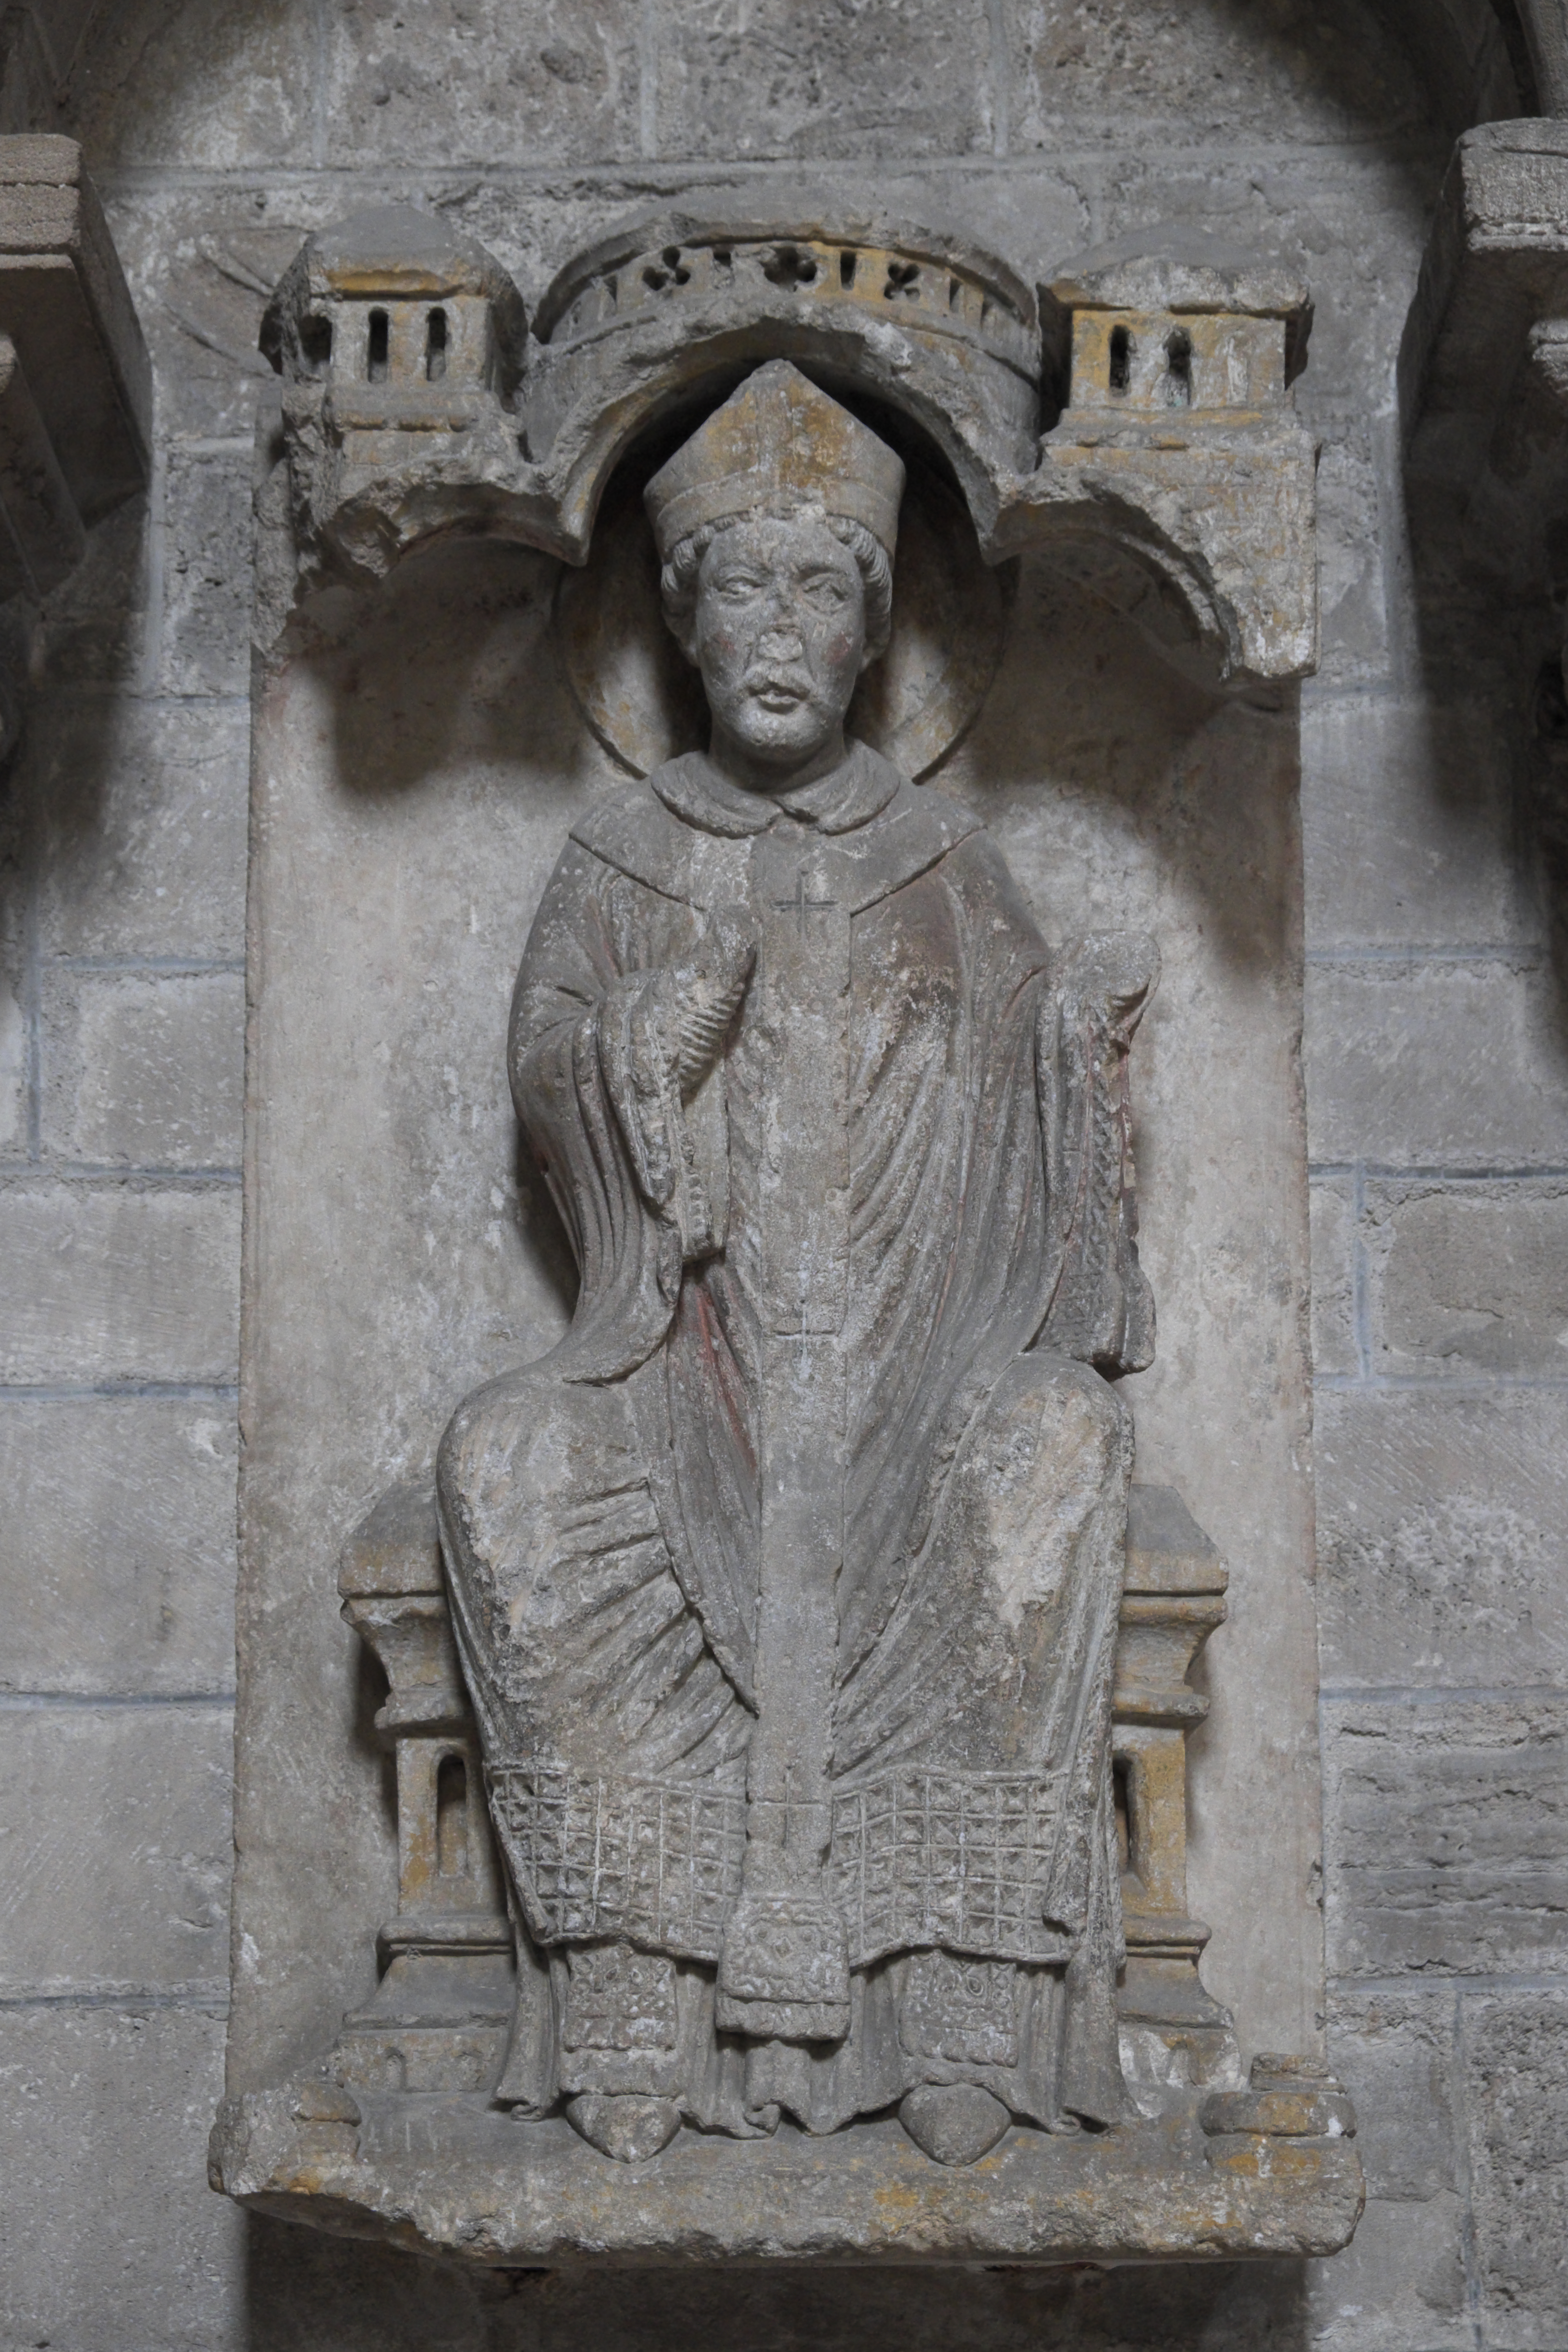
(441, 2012)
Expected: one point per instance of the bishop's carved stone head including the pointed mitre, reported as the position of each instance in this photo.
(777, 528)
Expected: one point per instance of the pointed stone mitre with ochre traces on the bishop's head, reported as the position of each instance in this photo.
(777, 448)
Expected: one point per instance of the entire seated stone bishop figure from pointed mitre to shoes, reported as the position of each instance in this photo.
(786, 1586)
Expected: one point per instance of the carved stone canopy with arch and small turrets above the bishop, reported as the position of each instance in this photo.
(1174, 479)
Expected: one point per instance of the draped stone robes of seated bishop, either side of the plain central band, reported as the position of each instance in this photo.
(991, 1281)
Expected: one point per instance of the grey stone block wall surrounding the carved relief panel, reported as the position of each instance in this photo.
(1438, 1067)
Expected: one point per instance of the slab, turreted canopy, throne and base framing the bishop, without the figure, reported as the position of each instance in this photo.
(1101, 608)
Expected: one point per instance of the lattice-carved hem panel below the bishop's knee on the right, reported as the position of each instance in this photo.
(946, 1859)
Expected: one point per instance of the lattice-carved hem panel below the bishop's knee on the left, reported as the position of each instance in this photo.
(655, 1862)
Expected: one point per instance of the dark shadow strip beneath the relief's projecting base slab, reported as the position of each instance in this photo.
(319, 2294)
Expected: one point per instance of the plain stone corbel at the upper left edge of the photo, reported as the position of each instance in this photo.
(76, 385)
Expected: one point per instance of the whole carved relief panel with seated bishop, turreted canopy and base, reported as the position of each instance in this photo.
(784, 1695)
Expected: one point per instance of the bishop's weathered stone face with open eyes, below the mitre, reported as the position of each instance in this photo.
(779, 636)
